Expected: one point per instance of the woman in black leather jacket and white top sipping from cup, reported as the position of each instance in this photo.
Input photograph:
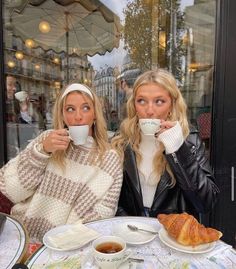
(167, 172)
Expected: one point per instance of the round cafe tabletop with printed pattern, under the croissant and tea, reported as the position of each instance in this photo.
(151, 253)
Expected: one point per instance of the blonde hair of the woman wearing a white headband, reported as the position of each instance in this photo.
(99, 128)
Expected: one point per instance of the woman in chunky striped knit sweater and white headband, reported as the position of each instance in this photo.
(54, 182)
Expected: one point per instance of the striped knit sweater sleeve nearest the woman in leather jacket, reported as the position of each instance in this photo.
(106, 207)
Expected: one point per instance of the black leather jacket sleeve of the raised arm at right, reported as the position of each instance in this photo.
(193, 174)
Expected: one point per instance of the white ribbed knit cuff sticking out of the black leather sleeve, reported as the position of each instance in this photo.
(172, 138)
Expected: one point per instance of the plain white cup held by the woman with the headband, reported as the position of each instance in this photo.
(79, 134)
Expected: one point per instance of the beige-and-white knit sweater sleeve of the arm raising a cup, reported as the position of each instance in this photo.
(21, 175)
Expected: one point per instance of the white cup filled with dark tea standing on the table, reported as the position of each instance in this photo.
(110, 251)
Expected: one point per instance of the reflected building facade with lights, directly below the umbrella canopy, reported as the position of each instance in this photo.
(41, 71)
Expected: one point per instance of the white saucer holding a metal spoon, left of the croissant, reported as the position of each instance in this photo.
(134, 237)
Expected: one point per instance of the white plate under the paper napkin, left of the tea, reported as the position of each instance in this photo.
(61, 229)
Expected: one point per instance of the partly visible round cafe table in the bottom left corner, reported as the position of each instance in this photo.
(13, 242)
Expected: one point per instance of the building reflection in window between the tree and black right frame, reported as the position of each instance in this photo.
(199, 46)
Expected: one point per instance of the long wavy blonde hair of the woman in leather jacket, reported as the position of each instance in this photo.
(130, 130)
